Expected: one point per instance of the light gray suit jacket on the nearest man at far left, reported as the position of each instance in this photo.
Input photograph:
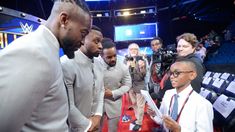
(32, 93)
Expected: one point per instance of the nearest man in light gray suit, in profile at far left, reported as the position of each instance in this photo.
(32, 93)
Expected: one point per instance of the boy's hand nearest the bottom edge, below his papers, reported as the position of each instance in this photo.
(171, 124)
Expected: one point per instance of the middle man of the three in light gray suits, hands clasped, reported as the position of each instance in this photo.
(84, 80)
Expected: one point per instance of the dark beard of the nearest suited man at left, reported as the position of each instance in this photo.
(69, 48)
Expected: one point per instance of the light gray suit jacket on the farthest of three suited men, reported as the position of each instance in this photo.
(118, 79)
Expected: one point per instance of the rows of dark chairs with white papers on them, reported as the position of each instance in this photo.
(219, 89)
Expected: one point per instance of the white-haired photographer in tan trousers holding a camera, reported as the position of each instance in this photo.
(137, 68)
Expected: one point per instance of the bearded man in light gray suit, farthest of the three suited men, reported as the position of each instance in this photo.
(117, 81)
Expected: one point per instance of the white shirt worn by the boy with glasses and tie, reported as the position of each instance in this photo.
(197, 114)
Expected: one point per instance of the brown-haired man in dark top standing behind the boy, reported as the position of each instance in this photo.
(186, 46)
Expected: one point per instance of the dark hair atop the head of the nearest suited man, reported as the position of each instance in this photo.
(81, 3)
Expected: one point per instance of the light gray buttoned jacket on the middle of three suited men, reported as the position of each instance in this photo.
(84, 80)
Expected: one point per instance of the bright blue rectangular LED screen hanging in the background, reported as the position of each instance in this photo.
(135, 32)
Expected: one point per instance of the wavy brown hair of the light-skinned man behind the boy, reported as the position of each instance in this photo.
(189, 37)
